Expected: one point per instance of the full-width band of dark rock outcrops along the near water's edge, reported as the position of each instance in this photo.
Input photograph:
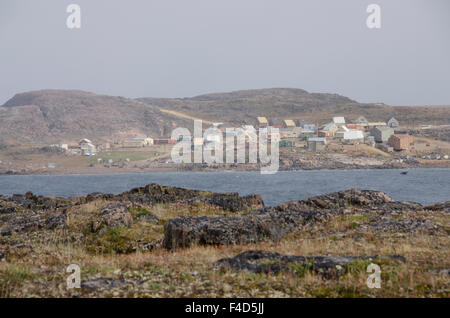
(228, 219)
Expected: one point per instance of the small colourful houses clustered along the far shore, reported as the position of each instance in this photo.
(292, 133)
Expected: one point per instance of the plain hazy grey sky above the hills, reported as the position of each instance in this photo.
(178, 48)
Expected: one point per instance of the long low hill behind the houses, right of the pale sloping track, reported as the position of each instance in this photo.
(244, 106)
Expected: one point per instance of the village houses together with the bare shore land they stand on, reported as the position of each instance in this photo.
(339, 144)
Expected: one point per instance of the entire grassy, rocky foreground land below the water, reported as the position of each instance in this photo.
(321, 246)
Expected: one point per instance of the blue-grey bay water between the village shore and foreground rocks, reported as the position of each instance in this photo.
(420, 185)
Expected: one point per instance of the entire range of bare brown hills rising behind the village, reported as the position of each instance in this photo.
(49, 116)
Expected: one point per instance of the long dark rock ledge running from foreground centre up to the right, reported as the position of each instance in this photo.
(274, 223)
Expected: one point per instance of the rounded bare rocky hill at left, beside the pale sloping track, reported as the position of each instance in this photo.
(61, 115)
